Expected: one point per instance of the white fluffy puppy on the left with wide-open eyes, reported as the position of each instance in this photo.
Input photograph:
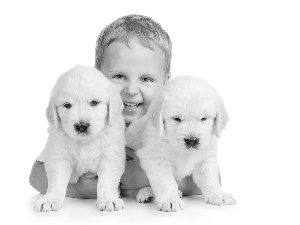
(86, 134)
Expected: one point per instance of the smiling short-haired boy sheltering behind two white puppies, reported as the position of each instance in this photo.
(134, 52)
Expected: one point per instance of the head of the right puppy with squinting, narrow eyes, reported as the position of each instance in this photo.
(188, 113)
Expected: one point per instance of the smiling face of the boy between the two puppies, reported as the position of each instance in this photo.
(137, 71)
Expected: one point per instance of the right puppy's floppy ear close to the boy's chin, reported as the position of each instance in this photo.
(155, 114)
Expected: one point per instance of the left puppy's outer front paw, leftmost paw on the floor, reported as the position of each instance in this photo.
(48, 204)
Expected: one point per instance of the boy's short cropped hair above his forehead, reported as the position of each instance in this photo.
(142, 27)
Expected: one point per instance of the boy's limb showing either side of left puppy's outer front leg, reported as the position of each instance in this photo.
(86, 187)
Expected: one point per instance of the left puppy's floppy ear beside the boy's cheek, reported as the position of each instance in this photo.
(115, 108)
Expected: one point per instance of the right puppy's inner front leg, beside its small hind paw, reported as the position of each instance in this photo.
(164, 186)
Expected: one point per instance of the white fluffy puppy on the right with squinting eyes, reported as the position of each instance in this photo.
(178, 138)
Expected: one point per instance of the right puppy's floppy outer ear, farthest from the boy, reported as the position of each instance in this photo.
(221, 118)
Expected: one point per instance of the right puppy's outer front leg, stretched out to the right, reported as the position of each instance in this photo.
(206, 176)
